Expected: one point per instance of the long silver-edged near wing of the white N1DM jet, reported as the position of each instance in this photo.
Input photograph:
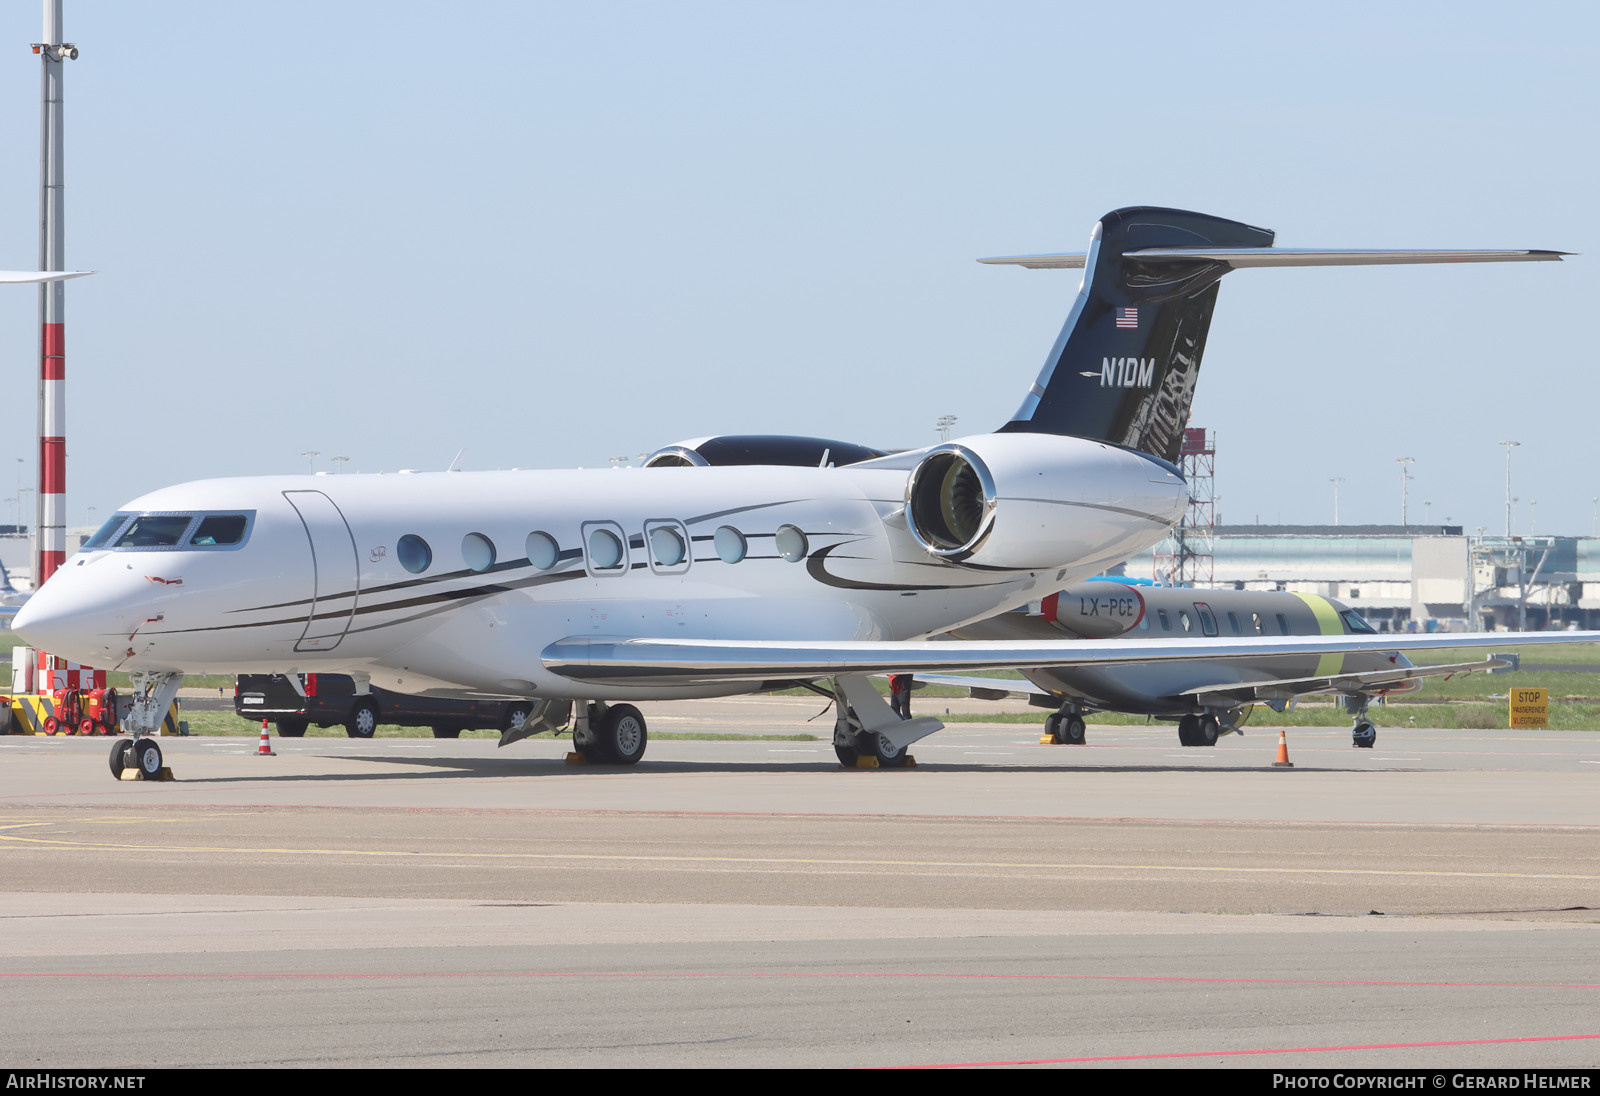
(678, 662)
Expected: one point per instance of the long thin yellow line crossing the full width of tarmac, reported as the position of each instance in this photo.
(793, 862)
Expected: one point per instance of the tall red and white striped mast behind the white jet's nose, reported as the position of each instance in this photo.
(52, 521)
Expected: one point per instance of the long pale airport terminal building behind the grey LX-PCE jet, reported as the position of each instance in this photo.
(1402, 577)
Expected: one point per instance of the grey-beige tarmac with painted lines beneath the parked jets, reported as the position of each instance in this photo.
(1431, 903)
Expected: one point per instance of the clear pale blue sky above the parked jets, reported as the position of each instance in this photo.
(556, 234)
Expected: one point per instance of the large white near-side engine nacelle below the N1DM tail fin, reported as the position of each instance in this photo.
(1038, 502)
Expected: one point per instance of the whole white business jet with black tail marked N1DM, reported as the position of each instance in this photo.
(598, 588)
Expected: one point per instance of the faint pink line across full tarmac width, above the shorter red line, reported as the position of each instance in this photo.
(809, 975)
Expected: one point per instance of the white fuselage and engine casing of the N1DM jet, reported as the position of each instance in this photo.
(457, 582)
